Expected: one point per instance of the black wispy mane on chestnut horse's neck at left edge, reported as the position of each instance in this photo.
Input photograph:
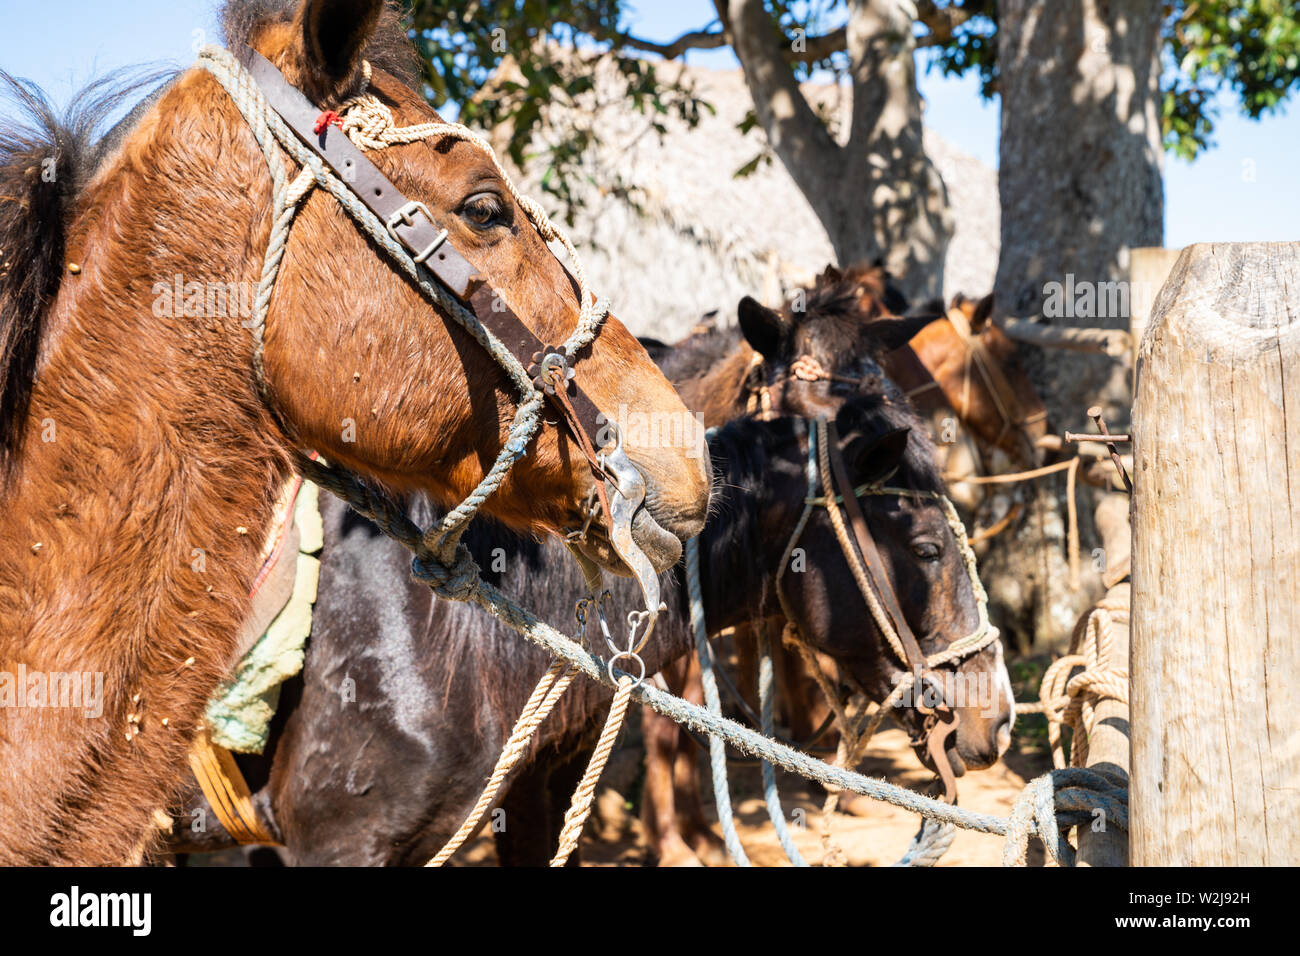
(47, 155)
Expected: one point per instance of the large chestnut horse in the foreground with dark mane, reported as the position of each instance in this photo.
(141, 464)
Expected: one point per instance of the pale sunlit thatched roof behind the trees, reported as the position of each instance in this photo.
(704, 239)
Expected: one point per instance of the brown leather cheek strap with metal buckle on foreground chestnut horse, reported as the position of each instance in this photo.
(411, 224)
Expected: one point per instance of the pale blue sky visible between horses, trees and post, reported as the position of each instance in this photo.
(1242, 191)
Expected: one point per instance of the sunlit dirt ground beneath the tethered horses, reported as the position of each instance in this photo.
(877, 838)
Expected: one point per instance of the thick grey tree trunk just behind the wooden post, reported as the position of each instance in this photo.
(1080, 180)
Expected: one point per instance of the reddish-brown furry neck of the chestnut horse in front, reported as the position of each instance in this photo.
(141, 500)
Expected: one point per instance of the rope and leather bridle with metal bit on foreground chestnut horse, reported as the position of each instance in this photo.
(440, 560)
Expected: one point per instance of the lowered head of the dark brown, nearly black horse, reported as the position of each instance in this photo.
(890, 461)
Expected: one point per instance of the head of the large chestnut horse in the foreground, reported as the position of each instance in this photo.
(349, 338)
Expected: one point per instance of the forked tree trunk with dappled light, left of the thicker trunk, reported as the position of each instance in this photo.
(878, 196)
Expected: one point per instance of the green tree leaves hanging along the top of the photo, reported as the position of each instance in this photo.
(1246, 51)
